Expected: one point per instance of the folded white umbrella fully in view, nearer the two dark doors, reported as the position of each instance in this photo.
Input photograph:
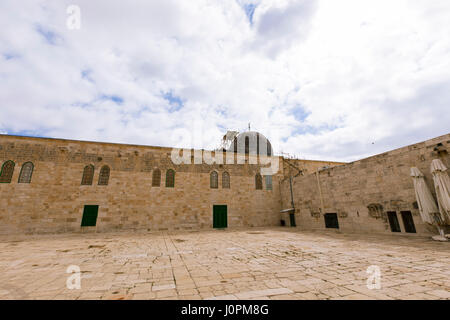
(425, 201)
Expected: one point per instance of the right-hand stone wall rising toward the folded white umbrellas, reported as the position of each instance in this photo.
(350, 189)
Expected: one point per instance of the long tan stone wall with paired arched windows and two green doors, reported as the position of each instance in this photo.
(55, 198)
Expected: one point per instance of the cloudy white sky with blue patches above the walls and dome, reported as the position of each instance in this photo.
(325, 79)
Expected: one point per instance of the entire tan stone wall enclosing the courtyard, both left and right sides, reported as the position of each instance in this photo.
(55, 198)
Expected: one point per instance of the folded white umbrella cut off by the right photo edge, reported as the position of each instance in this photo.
(442, 187)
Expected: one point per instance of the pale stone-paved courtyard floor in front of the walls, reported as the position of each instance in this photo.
(257, 263)
